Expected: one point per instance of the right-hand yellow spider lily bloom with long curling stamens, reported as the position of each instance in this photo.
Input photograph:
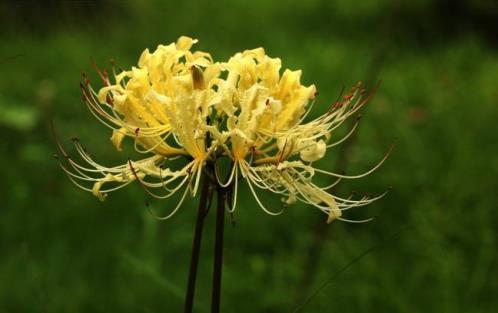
(270, 145)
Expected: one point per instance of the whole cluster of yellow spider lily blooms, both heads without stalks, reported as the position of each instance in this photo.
(181, 104)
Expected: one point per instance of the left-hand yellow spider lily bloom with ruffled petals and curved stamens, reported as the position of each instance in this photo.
(162, 105)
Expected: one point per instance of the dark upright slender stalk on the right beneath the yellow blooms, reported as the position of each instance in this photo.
(218, 251)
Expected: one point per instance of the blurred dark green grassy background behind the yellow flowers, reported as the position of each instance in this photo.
(432, 247)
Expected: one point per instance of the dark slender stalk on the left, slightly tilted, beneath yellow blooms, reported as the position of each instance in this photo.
(204, 202)
